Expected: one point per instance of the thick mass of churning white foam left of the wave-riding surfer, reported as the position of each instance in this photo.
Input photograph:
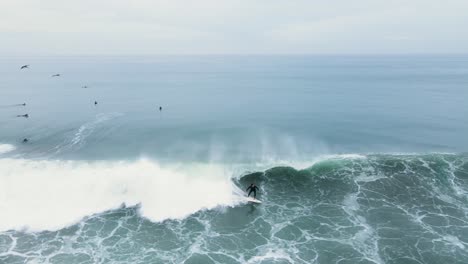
(47, 195)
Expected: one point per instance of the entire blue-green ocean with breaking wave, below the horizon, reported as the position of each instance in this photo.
(359, 159)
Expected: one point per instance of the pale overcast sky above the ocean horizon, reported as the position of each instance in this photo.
(138, 27)
